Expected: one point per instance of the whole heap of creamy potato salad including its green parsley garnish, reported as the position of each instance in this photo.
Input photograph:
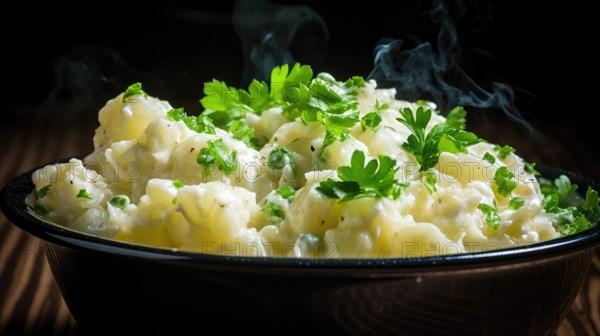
(304, 166)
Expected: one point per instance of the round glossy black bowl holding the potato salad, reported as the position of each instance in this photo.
(113, 287)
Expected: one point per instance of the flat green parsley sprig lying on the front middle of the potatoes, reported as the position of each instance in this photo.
(375, 180)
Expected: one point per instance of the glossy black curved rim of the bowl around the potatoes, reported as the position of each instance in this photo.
(12, 203)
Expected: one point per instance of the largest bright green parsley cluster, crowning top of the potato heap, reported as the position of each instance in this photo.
(294, 89)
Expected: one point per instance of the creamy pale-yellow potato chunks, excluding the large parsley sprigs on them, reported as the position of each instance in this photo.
(146, 183)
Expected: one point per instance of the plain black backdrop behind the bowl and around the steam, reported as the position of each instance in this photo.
(62, 62)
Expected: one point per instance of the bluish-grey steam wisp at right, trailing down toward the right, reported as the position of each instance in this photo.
(421, 73)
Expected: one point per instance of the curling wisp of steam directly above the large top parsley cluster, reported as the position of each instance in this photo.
(268, 32)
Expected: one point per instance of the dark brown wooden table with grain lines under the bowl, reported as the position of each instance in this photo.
(30, 302)
